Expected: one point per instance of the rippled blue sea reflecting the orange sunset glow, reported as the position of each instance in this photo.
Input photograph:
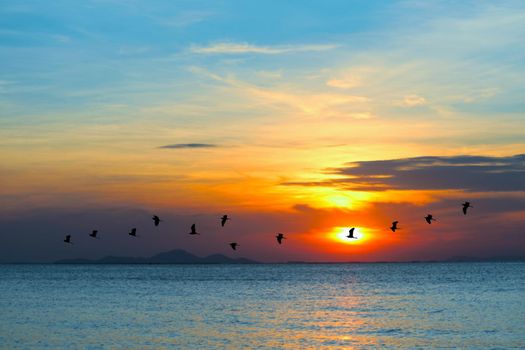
(332, 306)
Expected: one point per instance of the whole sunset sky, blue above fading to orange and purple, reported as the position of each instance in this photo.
(301, 117)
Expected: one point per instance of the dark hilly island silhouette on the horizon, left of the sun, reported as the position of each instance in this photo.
(177, 256)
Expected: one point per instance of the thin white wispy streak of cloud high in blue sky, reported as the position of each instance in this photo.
(244, 48)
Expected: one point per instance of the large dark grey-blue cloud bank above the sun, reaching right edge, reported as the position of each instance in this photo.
(468, 173)
